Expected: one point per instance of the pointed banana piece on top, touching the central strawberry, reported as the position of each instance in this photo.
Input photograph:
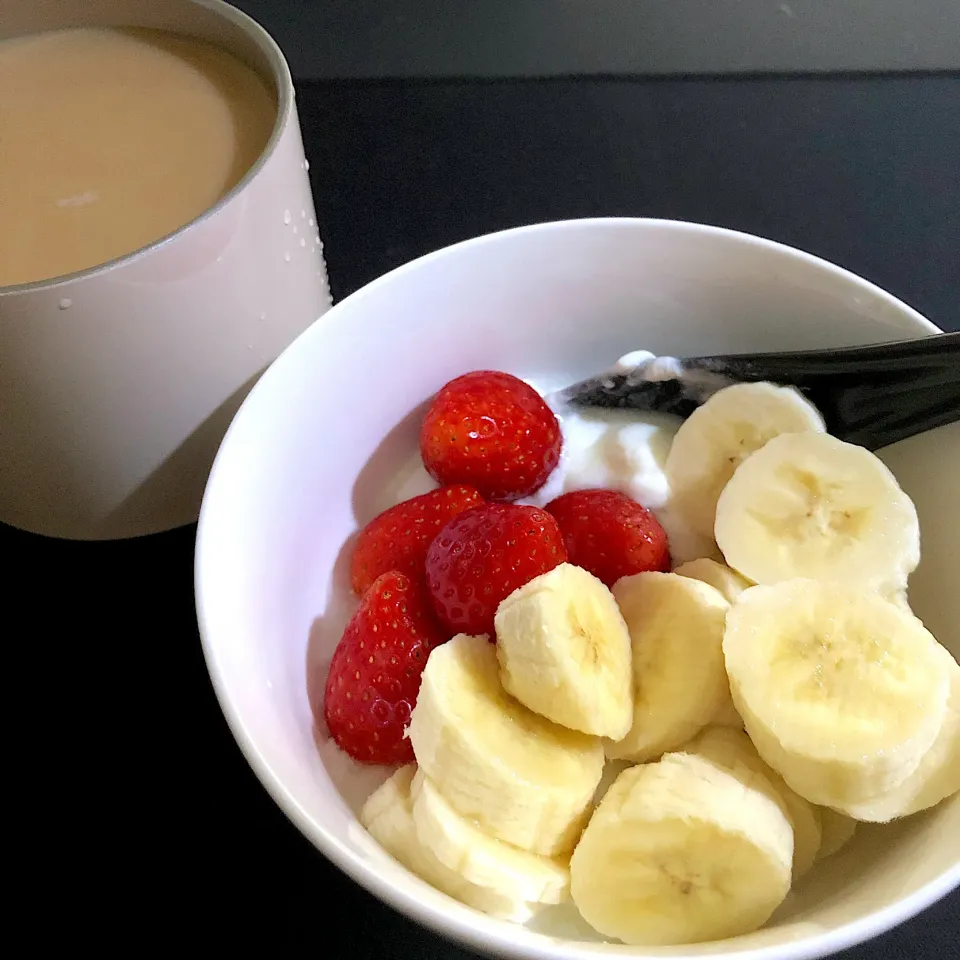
(564, 652)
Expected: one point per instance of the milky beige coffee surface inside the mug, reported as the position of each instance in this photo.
(111, 139)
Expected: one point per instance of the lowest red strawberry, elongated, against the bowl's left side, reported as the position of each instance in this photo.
(375, 673)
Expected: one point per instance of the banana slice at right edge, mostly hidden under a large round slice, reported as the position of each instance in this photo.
(938, 775)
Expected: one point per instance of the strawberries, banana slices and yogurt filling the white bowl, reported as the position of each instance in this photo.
(770, 687)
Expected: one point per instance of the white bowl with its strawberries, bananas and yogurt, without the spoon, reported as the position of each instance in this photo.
(588, 687)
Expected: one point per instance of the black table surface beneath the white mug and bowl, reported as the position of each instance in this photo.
(138, 801)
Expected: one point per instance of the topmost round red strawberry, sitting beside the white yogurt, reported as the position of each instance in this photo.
(492, 431)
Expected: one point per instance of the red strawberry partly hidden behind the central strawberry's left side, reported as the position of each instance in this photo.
(398, 538)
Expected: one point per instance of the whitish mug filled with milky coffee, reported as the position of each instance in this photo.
(158, 249)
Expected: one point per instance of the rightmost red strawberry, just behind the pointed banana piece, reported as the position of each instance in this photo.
(609, 534)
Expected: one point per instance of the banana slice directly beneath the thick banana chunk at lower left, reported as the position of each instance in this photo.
(462, 847)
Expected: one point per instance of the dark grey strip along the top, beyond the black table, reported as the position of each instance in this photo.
(523, 38)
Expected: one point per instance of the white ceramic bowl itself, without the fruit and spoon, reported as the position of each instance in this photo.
(328, 437)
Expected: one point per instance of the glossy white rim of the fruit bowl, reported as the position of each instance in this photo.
(482, 933)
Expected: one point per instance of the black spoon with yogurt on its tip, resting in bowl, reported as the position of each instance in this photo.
(872, 396)
